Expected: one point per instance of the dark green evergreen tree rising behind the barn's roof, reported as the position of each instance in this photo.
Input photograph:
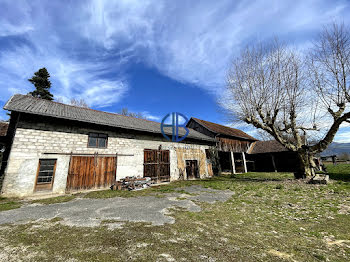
(42, 84)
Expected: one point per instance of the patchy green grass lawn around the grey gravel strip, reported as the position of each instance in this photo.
(270, 217)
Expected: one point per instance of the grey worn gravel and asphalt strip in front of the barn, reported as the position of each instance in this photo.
(91, 212)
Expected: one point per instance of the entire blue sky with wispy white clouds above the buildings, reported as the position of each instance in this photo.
(151, 56)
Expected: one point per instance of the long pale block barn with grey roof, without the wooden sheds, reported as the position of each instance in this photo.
(58, 148)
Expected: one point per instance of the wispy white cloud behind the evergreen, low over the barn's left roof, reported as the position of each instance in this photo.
(70, 78)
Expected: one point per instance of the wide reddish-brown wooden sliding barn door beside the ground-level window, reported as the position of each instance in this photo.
(87, 172)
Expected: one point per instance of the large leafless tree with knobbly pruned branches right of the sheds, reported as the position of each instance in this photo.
(273, 88)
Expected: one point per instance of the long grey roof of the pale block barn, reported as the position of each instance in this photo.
(37, 106)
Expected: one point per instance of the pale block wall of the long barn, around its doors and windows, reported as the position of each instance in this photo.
(33, 138)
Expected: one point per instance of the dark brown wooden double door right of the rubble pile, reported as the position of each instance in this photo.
(157, 165)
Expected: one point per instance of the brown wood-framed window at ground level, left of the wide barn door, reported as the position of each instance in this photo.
(46, 173)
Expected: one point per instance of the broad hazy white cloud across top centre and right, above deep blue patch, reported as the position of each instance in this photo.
(195, 42)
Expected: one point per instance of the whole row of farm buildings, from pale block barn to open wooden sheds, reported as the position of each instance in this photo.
(54, 148)
